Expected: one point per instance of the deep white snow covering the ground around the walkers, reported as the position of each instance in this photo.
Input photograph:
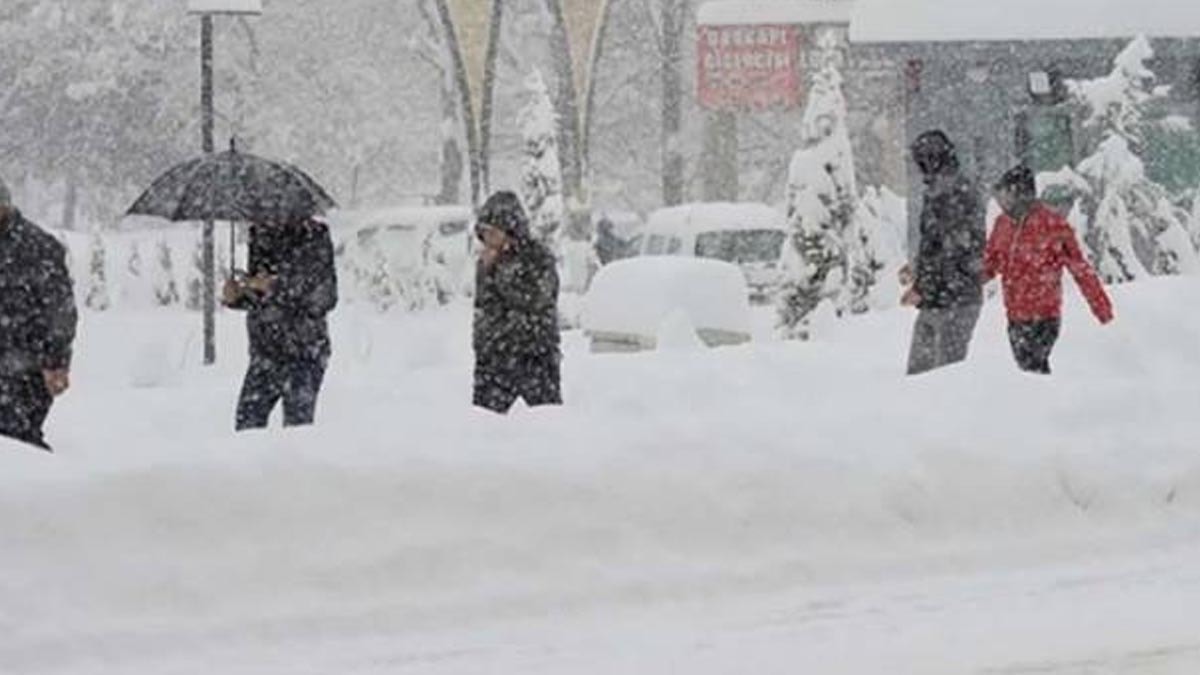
(766, 509)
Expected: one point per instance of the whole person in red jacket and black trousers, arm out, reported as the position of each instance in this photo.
(1029, 249)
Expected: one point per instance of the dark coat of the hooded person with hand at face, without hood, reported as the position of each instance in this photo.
(517, 308)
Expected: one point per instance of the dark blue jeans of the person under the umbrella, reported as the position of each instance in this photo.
(269, 380)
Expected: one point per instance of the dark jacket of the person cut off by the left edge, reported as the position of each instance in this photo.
(38, 309)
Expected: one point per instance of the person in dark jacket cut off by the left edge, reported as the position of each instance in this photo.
(38, 325)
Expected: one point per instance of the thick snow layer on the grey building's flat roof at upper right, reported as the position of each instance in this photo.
(958, 21)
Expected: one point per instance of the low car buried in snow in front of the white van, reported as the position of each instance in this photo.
(641, 304)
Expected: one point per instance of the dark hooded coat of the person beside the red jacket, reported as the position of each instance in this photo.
(953, 237)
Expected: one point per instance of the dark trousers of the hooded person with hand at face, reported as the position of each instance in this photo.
(536, 380)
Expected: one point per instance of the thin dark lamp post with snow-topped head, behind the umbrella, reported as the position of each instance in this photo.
(206, 10)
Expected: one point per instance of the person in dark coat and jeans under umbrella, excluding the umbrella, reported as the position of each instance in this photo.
(290, 289)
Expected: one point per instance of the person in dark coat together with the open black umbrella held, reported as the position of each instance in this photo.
(291, 284)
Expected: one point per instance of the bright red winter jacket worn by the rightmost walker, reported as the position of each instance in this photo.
(1030, 259)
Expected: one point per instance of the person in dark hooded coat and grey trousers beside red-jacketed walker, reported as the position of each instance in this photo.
(944, 278)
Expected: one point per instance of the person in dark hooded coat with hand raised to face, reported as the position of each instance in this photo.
(517, 336)
